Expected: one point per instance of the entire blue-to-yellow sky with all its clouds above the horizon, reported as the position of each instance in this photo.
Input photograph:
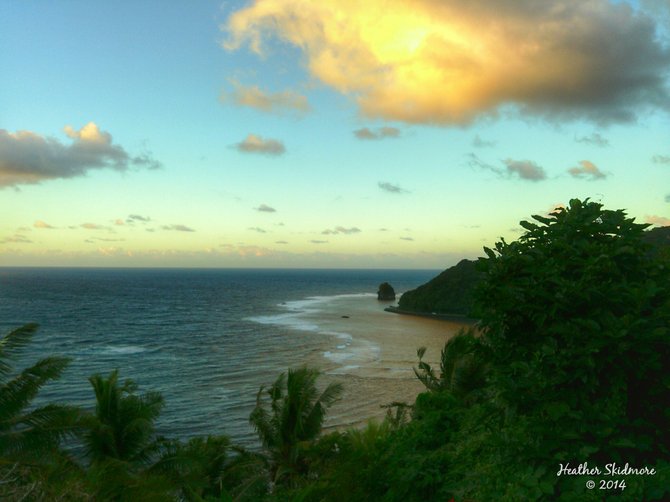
(330, 133)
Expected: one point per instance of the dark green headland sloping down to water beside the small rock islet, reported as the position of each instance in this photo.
(451, 292)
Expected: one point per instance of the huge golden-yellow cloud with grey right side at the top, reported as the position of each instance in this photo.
(450, 62)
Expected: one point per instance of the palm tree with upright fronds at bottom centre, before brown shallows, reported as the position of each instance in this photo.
(295, 418)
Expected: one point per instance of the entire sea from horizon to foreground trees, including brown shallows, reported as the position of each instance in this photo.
(208, 339)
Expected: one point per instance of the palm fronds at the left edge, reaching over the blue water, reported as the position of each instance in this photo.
(24, 432)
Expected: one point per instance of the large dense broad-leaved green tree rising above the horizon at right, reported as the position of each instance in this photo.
(576, 316)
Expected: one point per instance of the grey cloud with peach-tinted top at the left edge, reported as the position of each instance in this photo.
(28, 158)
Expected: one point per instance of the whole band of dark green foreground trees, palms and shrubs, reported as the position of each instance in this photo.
(566, 371)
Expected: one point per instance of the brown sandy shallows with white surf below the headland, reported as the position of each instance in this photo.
(370, 351)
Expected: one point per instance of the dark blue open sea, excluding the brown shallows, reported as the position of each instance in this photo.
(189, 334)
